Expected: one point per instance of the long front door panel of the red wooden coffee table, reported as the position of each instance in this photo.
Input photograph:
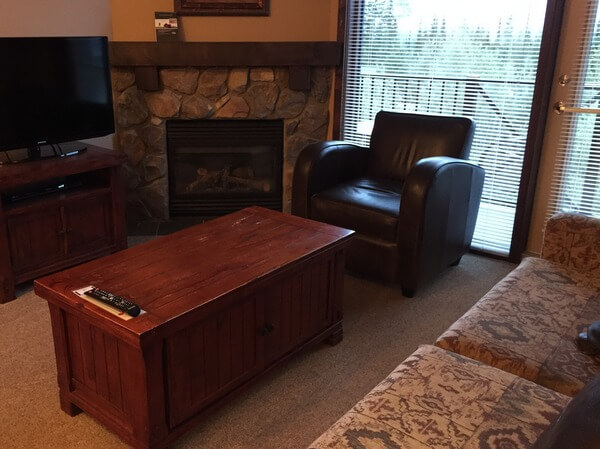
(207, 360)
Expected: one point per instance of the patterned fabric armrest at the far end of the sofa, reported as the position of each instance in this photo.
(573, 240)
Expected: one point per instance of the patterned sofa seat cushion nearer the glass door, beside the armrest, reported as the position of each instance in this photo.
(527, 323)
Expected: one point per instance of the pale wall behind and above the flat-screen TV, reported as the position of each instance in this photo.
(57, 18)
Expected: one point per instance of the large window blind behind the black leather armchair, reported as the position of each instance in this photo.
(465, 57)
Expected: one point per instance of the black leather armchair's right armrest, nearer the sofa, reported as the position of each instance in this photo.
(438, 211)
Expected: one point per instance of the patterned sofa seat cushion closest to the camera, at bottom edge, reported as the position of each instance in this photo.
(440, 400)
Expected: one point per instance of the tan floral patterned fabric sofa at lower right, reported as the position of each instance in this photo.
(500, 376)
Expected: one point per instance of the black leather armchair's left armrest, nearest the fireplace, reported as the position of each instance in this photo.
(323, 165)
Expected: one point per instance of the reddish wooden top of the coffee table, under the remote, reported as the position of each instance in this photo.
(172, 275)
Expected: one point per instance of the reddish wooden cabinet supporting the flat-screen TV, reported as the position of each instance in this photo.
(48, 232)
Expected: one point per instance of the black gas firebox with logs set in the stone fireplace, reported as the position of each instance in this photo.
(221, 166)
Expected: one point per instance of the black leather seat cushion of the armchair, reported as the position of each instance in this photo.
(369, 206)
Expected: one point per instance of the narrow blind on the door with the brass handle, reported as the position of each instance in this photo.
(576, 182)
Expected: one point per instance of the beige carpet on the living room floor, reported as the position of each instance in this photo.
(288, 408)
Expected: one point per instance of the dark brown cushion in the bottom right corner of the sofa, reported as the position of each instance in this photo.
(578, 425)
